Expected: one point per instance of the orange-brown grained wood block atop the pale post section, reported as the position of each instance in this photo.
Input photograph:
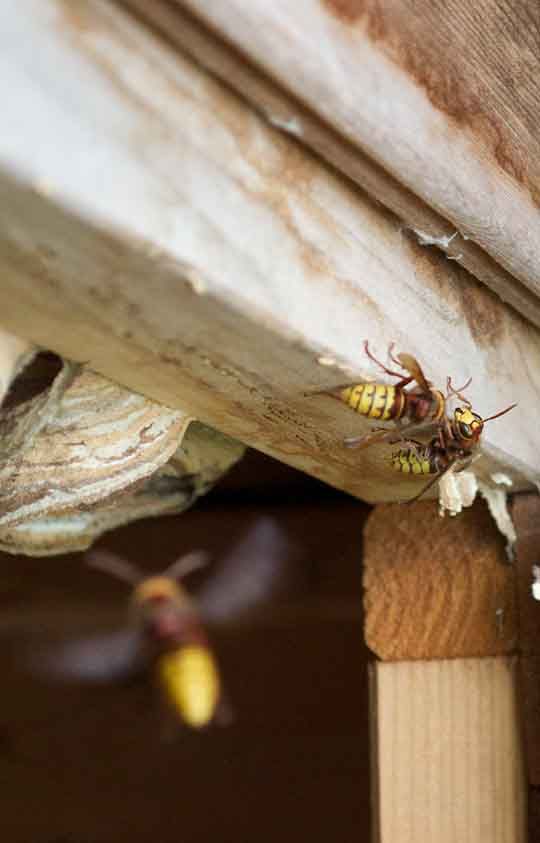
(437, 588)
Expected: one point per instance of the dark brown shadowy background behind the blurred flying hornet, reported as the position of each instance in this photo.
(89, 764)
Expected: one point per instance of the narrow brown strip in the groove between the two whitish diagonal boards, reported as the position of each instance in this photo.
(283, 110)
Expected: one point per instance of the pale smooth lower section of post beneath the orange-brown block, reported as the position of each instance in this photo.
(448, 752)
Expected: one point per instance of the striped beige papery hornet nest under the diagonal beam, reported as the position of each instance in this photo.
(85, 456)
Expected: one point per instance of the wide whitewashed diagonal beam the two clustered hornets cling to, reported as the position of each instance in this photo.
(221, 269)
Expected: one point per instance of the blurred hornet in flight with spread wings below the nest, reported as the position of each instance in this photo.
(166, 632)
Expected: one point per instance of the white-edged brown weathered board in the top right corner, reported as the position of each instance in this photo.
(444, 98)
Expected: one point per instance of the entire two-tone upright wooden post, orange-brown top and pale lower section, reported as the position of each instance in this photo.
(447, 750)
